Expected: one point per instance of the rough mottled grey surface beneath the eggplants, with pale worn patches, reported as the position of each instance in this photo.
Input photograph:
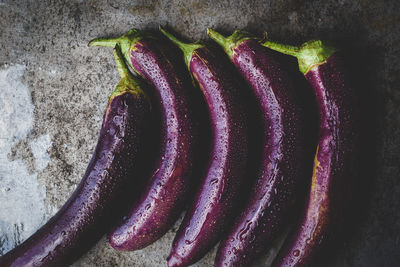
(53, 92)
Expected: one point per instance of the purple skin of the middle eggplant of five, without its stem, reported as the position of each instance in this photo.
(215, 202)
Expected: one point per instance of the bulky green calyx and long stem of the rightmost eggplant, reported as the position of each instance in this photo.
(309, 54)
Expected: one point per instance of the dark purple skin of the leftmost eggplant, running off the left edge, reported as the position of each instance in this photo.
(90, 211)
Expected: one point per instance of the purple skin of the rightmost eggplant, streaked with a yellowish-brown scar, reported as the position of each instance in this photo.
(333, 165)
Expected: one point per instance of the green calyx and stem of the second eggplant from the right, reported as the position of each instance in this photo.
(229, 43)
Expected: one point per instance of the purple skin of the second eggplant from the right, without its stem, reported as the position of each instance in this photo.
(282, 161)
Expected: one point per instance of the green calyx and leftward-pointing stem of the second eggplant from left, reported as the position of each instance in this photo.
(126, 41)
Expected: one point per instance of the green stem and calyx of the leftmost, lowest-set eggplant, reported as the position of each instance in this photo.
(128, 82)
